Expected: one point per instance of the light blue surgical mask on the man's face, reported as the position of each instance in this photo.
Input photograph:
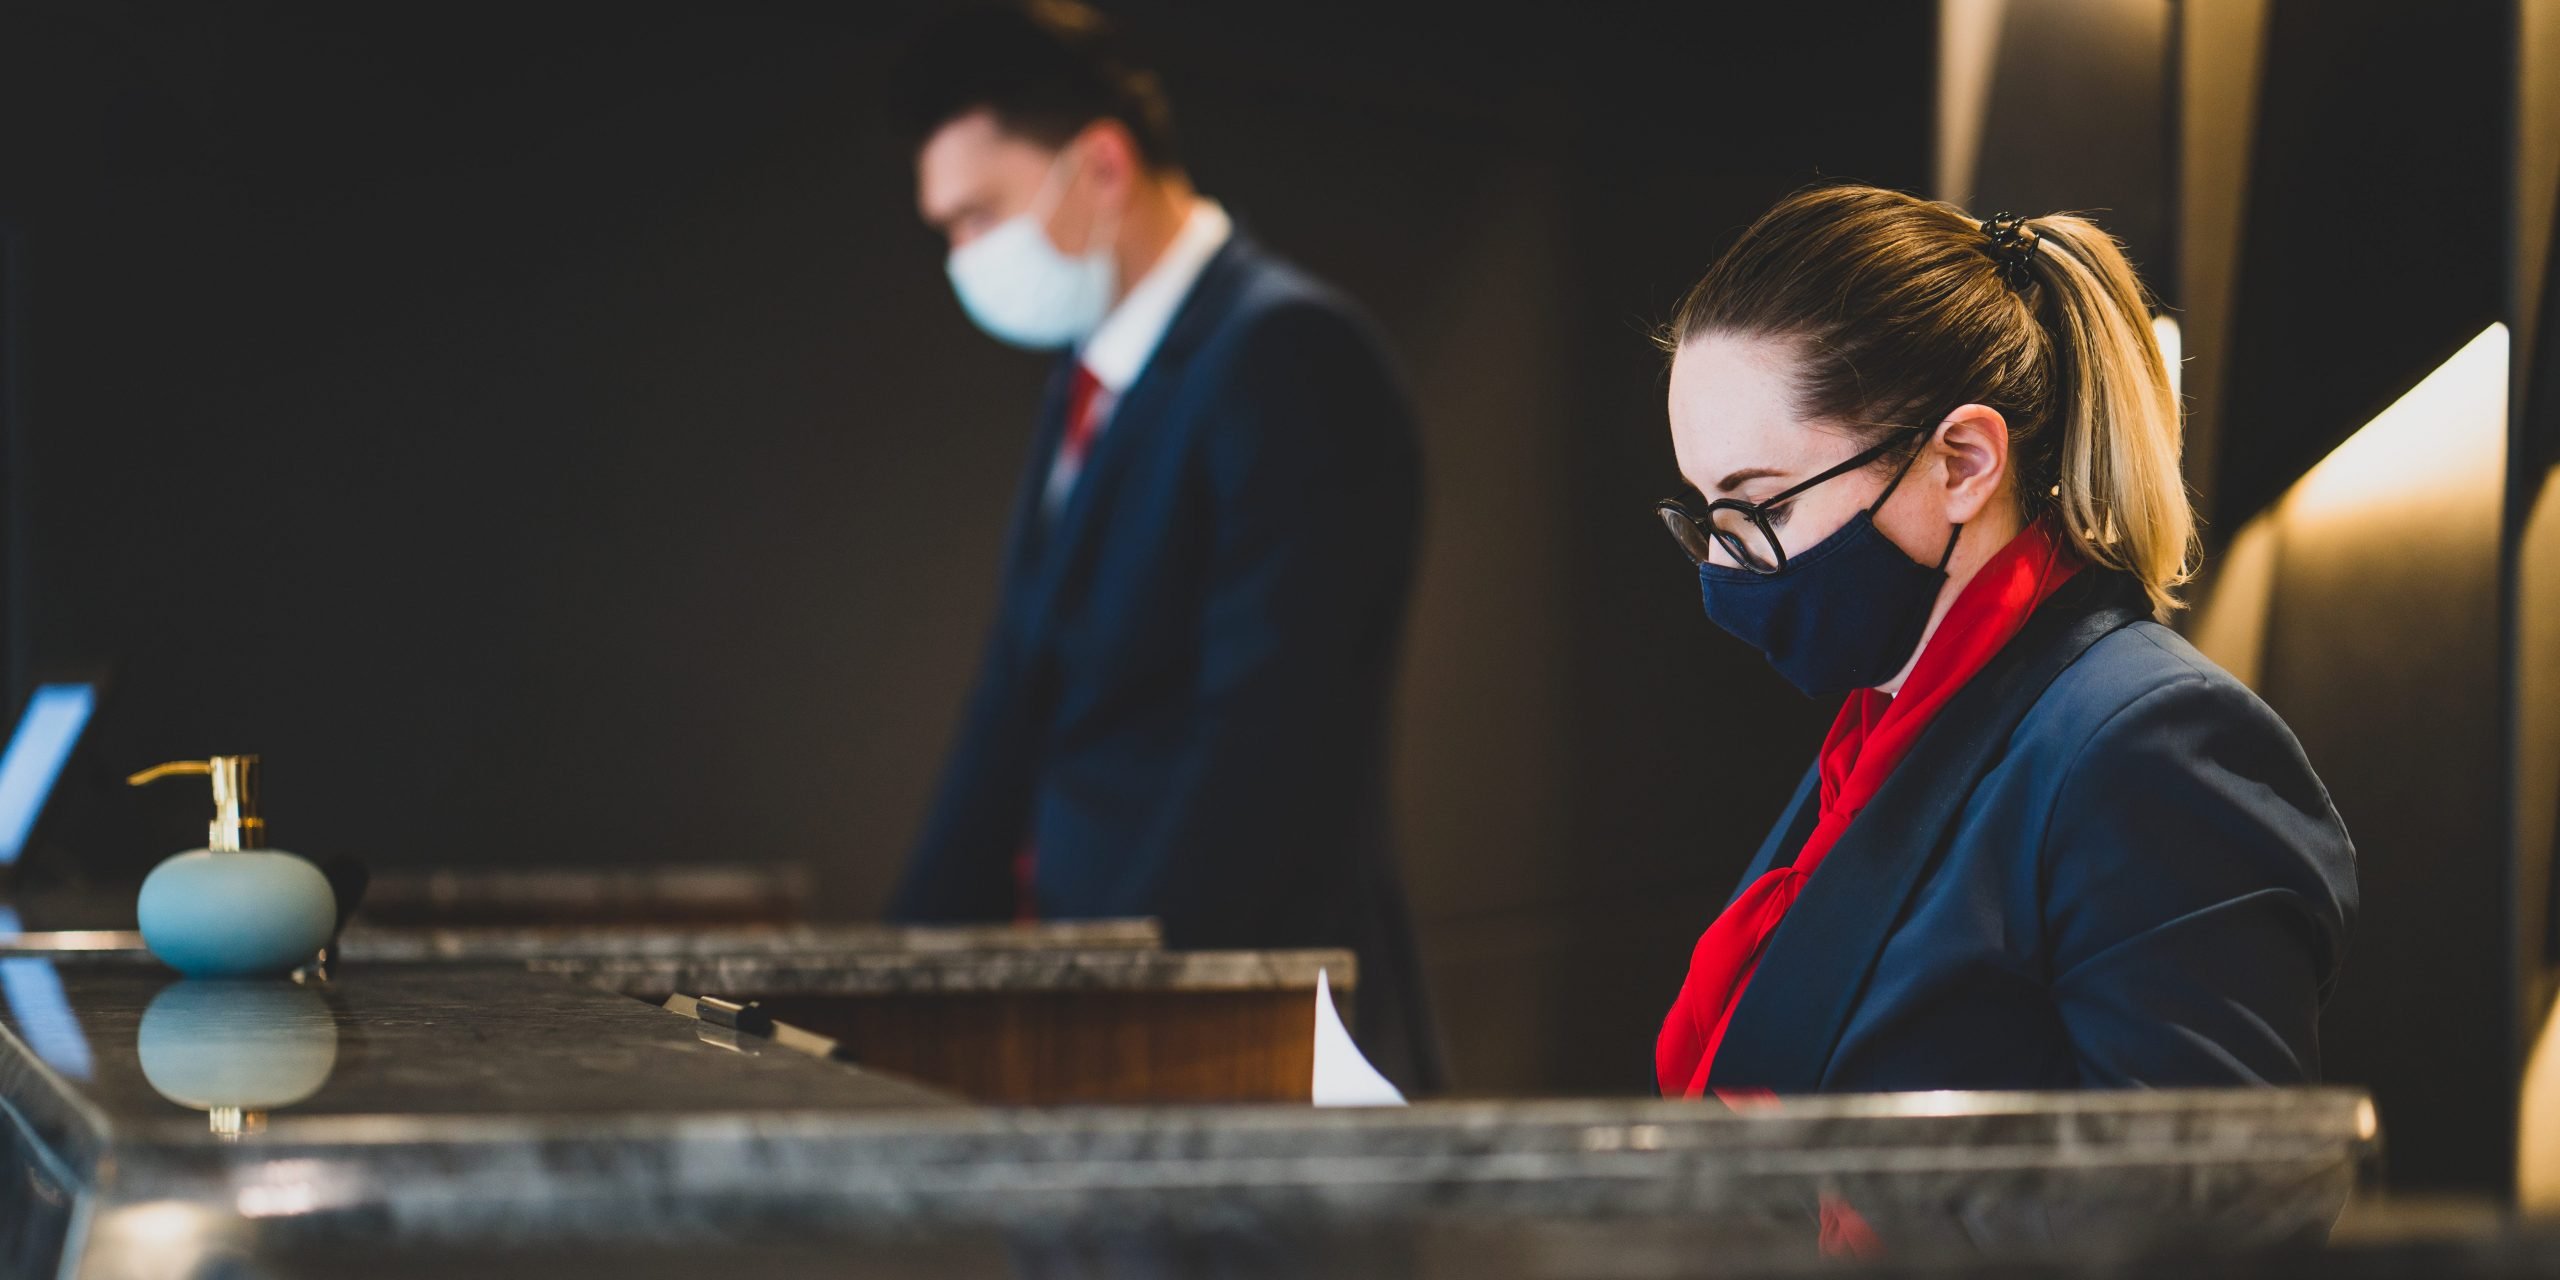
(1023, 291)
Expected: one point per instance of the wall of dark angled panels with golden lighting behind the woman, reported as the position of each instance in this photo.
(2321, 193)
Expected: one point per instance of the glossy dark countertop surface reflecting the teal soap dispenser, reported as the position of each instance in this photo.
(122, 1056)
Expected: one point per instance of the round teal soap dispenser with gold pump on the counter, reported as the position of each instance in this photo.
(234, 910)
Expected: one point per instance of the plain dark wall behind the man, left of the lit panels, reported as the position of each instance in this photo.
(547, 436)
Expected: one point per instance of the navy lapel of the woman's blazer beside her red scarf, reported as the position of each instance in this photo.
(1821, 956)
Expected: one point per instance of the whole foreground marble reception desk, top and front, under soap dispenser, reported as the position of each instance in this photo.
(444, 1120)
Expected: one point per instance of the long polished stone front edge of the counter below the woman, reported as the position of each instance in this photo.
(2011, 1179)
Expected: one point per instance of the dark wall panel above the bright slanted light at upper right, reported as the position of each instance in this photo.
(2377, 224)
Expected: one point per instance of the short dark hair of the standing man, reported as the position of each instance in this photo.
(1043, 68)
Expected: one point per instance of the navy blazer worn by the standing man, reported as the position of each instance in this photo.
(1184, 700)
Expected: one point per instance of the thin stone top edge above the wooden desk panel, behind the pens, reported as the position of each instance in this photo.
(890, 974)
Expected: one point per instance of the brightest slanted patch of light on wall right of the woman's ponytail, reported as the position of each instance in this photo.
(2441, 442)
